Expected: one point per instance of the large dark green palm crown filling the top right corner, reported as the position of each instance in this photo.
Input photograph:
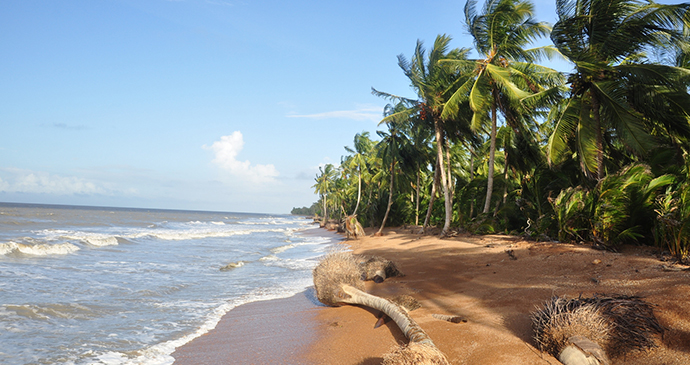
(617, 96)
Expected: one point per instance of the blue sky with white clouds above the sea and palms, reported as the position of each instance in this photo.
(217, 105)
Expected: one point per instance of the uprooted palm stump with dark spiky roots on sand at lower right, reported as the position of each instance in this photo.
(578, 331)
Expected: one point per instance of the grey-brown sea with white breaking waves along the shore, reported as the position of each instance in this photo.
(86, 285)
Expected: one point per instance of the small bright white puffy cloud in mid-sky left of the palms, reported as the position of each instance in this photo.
(226, 151)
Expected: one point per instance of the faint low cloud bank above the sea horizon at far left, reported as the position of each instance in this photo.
(25, 181)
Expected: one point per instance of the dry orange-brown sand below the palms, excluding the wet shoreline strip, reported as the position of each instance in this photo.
(474, 277)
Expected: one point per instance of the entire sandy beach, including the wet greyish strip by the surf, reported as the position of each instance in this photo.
(494, 282)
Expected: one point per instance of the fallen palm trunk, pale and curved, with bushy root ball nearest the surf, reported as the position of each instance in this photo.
(337, 280)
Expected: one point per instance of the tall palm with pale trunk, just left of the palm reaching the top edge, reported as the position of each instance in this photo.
(434, 82)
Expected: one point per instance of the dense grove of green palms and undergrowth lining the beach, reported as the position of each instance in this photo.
(501, 143)
